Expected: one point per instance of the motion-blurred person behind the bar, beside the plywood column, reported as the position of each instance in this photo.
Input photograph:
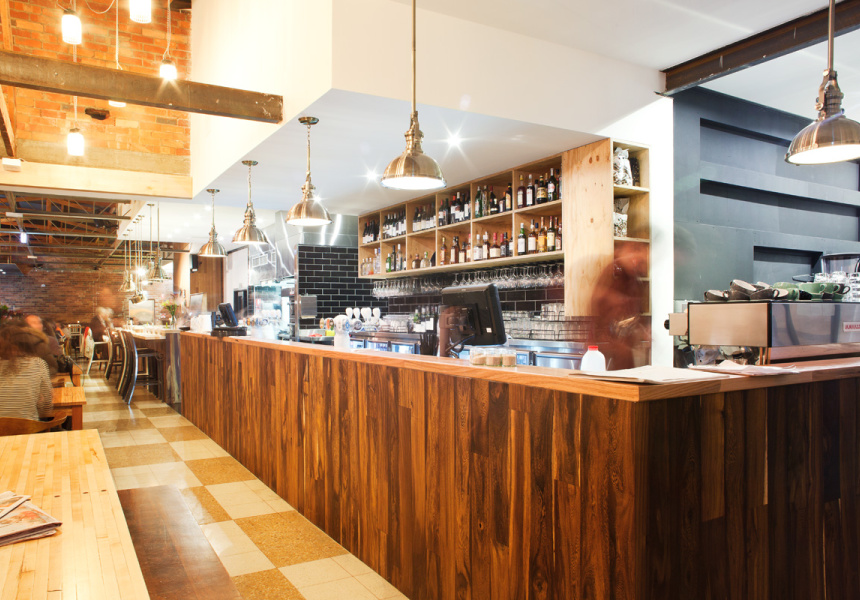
(617, 305)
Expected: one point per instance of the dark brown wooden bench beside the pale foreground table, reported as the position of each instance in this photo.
(176, 558)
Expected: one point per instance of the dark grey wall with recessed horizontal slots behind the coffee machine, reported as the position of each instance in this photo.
(741, 211)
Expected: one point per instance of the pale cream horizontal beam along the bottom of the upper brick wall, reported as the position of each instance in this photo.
(89, 179)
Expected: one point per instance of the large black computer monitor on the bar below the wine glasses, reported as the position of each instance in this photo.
(472, 315)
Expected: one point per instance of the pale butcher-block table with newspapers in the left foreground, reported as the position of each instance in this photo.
(92, 556)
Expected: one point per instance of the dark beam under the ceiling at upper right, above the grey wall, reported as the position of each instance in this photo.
(762, 47)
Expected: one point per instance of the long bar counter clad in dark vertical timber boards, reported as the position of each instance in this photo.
(455, 481)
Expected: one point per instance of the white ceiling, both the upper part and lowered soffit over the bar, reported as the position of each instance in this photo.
(358, 134)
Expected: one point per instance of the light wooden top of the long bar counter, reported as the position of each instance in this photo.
(560, 379)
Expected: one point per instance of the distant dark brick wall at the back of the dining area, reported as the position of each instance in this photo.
(71, 296)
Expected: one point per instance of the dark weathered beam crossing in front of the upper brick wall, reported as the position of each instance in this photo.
(62, 77)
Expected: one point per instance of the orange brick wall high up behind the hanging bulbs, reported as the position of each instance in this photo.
(45, 117)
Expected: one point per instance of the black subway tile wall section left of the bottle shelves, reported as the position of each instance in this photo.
(331, 274)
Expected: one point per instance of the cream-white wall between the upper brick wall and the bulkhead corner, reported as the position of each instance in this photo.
(272, 46)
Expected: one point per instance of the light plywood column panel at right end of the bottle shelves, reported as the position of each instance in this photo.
(589, 245)
